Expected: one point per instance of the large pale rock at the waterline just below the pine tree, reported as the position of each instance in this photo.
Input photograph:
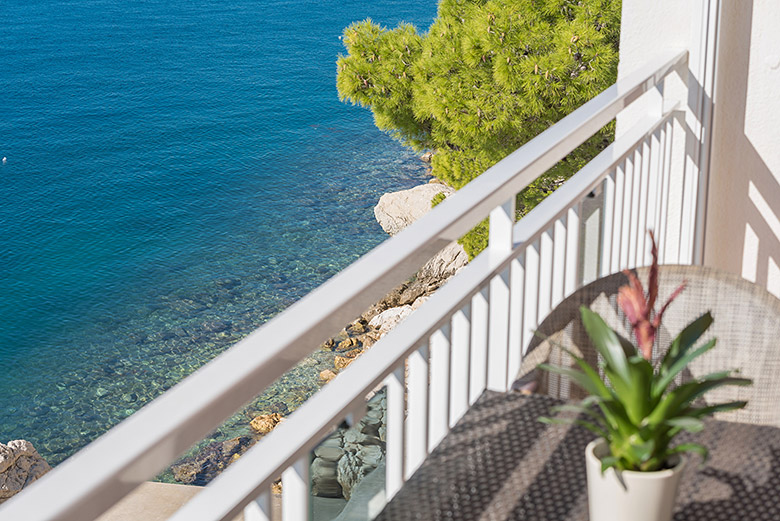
(397, 210)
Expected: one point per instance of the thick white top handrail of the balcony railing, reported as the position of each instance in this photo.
(94, 479)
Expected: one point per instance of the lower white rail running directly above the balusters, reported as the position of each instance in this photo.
(307, 425)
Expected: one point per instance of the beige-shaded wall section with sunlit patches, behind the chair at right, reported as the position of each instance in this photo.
(743, 228)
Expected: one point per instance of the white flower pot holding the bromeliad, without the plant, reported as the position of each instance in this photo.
(646, 496)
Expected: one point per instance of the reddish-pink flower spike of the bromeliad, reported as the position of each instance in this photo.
(638, 307)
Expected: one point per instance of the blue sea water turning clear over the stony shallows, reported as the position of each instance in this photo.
(177, 173)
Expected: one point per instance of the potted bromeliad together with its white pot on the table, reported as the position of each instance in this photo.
(633, 468)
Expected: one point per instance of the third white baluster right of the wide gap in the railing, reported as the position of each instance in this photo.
(439, 394)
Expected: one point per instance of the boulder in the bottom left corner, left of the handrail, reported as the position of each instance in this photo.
(20, 465)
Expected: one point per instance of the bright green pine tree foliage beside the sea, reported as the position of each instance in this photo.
(488, 76)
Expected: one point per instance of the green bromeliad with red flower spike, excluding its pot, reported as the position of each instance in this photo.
(637, 409)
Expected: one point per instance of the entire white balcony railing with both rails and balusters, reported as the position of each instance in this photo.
(466, 338)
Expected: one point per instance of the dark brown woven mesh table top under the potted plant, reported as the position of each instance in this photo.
(500, 463)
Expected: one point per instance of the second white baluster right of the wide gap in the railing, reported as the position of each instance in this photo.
(417, 410)
